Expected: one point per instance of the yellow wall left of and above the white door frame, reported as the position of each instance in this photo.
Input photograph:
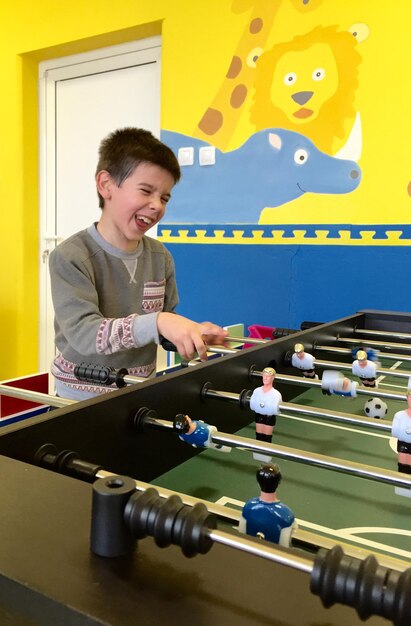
(31, 32)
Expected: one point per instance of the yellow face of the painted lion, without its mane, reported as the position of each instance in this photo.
(303, 81)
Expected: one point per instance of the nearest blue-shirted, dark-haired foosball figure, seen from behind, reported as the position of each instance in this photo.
(267, 517)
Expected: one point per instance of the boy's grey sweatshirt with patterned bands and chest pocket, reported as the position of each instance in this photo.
(106, 303)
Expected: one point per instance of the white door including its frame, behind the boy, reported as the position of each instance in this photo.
(82, 99)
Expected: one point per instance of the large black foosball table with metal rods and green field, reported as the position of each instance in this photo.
(109, 518)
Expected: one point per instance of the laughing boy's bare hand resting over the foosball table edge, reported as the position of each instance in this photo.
(188, 336)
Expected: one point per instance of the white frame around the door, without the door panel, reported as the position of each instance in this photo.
(50, 72)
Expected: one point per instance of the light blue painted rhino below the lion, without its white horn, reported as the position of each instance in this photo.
(272, 167)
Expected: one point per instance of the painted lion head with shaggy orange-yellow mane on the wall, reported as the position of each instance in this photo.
(309, 84)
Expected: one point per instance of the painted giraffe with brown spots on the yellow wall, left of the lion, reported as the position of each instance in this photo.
(222, 116)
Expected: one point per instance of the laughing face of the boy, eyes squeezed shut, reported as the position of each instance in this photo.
(136, 206)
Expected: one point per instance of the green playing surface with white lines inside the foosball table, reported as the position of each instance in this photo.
(351, 509)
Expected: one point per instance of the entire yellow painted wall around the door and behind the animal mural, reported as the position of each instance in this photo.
(198, 40)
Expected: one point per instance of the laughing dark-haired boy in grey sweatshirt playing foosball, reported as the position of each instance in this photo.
(113, 288)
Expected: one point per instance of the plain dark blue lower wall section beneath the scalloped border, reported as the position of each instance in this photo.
(285, 285)
